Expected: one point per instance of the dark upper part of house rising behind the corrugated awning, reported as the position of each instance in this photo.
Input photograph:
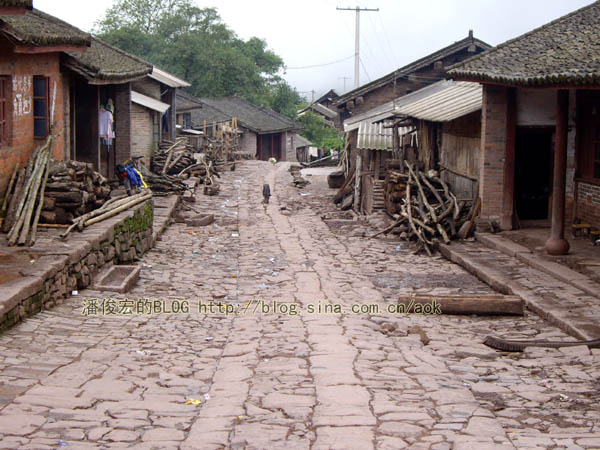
(402, 81)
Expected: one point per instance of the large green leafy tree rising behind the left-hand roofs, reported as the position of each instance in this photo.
(194, 44)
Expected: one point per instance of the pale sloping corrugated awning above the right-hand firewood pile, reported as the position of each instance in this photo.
(454, 99)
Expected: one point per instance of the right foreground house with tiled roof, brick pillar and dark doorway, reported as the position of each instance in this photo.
(540, 135)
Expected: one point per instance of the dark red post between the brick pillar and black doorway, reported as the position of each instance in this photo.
(508, 199)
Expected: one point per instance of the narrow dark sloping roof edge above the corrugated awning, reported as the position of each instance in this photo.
(412, 67)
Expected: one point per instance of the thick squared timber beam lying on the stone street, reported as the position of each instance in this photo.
(484, 305)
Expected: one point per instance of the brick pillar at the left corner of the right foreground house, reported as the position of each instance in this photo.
(493, 151)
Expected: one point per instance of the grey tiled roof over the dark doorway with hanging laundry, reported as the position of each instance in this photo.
(104, 63)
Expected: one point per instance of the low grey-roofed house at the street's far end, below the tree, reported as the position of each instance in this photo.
(266, 133)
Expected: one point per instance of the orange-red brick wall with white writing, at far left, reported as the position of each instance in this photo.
(21, 68)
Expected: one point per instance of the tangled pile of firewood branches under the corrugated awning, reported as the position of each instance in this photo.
(424, 208)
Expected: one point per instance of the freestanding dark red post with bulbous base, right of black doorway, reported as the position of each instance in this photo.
(557, 244)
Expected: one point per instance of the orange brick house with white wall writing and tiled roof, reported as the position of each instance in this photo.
(31, 81)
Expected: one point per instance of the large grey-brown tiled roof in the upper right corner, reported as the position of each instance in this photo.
(564, 51)
